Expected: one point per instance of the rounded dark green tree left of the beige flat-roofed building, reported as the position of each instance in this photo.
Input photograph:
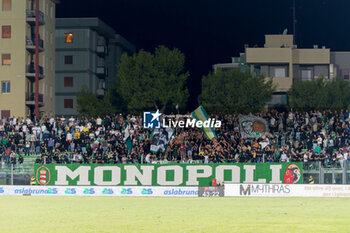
(234, 92)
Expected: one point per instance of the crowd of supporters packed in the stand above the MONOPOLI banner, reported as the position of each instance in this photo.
(293, 136)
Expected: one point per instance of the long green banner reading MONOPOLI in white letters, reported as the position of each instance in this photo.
(167, 175)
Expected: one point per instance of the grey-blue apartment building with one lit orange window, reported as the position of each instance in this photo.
(87, 53)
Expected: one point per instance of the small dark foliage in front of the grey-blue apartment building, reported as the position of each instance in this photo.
(88, 104)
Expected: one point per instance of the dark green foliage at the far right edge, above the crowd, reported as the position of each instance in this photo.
(320, 94)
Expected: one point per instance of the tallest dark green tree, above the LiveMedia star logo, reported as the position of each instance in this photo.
(147, 81)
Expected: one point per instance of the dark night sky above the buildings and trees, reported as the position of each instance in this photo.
(213, 31)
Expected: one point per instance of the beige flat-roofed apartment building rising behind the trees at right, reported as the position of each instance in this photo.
(283, 62)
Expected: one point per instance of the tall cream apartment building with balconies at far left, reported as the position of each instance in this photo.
(20, 24)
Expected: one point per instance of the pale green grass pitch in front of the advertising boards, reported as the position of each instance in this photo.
(149, 214)
